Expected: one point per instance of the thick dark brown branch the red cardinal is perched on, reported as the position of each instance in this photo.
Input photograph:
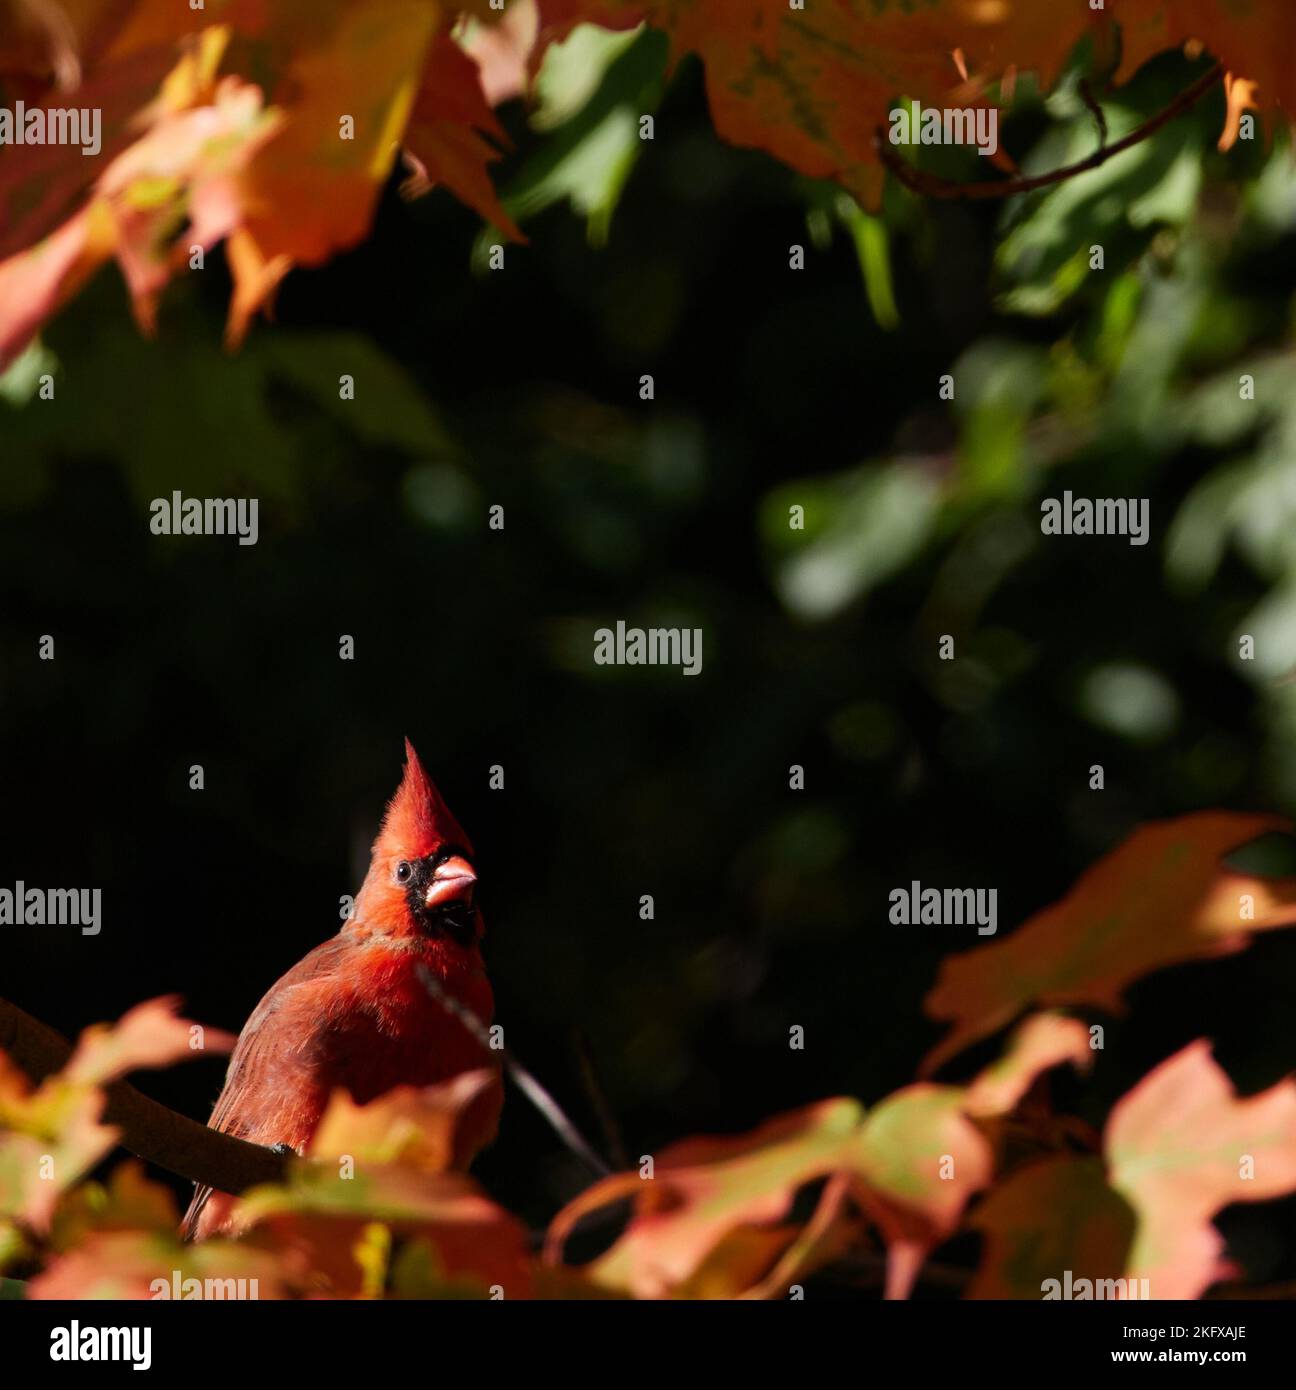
(149, 1129)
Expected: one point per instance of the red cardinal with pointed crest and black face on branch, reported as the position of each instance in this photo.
(355, 1014)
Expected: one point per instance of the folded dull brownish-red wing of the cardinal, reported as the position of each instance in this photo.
(269, 1097)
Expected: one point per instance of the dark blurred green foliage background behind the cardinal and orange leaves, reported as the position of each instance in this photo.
(774, 387)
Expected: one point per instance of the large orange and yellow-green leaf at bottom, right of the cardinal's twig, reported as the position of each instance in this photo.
(912, 1164)
